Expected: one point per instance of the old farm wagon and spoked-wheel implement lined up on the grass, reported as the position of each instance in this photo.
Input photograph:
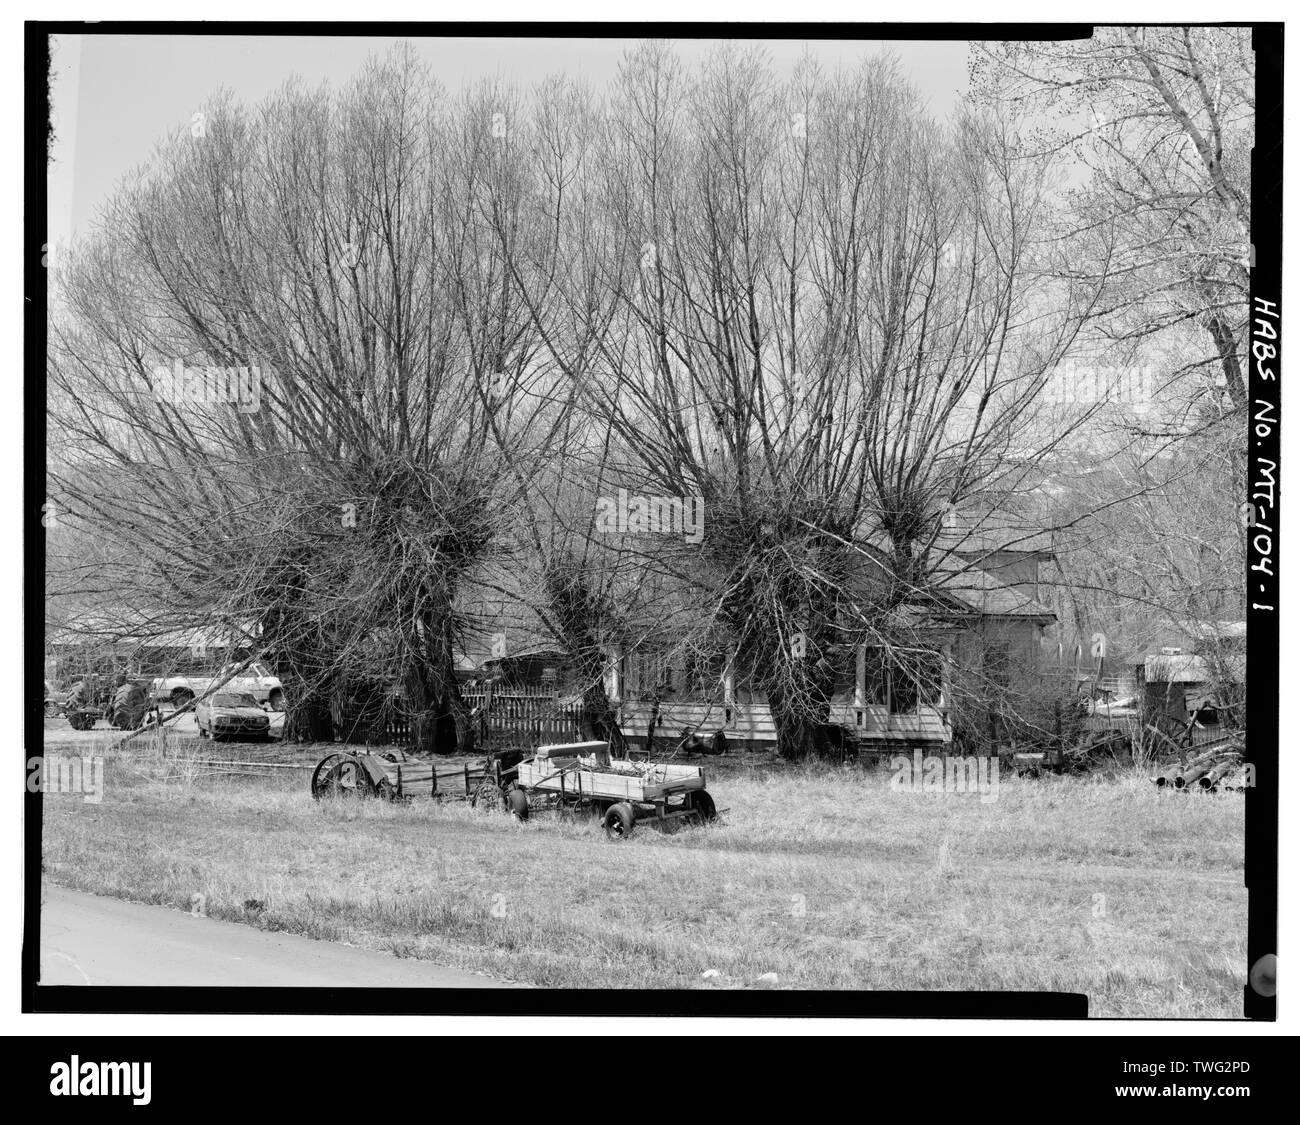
(569, 776)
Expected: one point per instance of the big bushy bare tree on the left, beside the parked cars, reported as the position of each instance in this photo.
(336, 245)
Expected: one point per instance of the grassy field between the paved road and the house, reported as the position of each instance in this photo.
(822, 876)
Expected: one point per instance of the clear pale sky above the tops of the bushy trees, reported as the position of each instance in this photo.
(116, 96)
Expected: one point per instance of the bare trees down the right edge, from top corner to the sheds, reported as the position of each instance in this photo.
(1159, 126)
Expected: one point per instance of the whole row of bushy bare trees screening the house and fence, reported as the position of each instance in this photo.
(803, 304)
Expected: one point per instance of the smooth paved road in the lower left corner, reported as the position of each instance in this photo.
(86, 940)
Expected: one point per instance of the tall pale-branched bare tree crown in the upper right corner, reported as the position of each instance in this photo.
(1162, 122)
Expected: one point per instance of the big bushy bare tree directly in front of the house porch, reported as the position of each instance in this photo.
(831, 324)
